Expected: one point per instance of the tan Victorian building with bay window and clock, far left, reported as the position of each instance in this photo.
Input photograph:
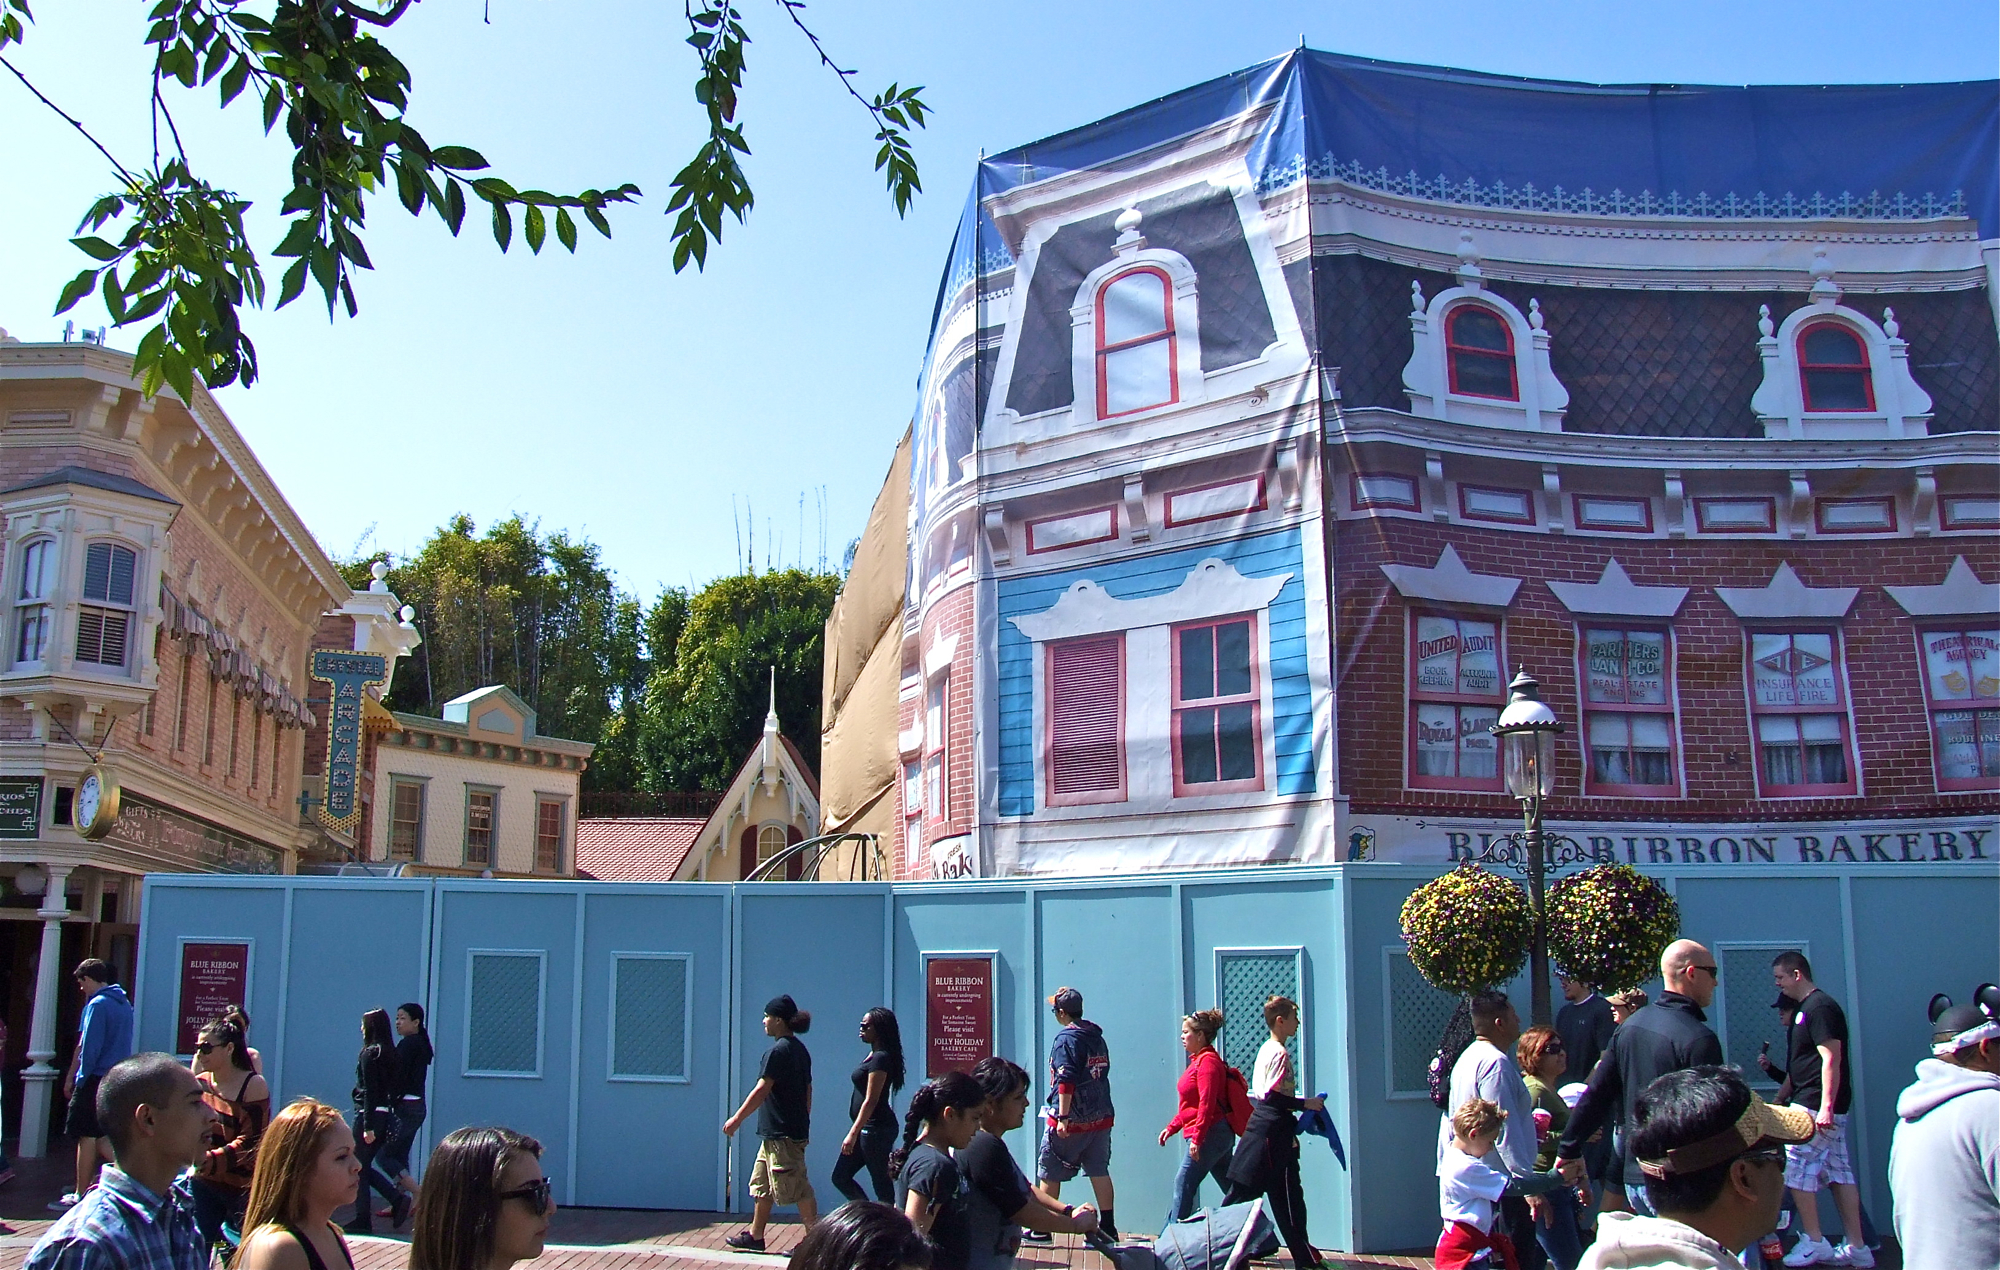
(161, 611)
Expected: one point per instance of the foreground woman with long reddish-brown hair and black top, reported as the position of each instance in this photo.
(305, 1171)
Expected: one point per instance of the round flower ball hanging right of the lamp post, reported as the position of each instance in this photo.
(1609, 927)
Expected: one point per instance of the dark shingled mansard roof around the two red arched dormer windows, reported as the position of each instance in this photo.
(1651, 363)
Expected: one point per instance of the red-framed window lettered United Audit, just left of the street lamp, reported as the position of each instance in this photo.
(1455, 699)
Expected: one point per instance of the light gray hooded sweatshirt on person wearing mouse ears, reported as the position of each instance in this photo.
(1945, 1169)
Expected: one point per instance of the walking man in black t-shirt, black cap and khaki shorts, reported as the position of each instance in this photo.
(783, 1101)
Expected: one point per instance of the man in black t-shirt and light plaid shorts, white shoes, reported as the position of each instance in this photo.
(1817, 1081)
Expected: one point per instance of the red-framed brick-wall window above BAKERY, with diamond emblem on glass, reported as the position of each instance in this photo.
(1799, 713)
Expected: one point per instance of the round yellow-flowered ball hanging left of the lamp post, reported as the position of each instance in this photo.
(1469, 931)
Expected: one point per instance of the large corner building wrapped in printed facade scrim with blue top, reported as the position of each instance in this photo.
(1253, 461)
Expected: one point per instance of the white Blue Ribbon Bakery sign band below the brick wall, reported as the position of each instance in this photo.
(1971, 841)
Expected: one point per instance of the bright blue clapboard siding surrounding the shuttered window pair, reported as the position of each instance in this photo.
(1135, 579)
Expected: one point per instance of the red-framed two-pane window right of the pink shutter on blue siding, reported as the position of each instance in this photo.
(1217, 741)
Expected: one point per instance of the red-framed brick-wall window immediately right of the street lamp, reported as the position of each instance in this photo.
(1629, 711)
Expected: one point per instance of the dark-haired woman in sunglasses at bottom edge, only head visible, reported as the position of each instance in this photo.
(485, 1203)
